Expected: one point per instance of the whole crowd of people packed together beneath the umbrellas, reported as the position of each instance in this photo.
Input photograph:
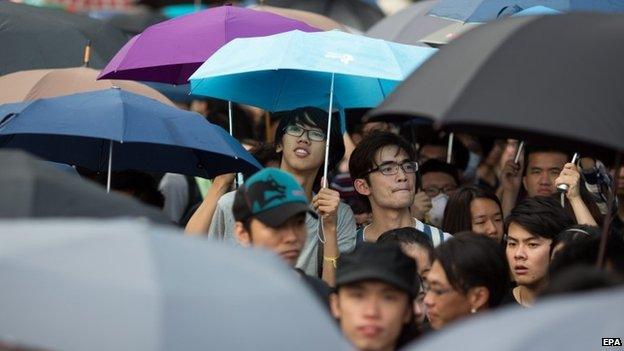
(400, 242)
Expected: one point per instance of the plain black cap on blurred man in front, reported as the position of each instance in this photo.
(382, 262)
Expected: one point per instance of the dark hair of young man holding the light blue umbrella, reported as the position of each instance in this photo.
(315, 117)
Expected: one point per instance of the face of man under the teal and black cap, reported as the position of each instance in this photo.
(286, 240)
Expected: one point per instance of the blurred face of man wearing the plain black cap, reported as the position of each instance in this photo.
(371, 314)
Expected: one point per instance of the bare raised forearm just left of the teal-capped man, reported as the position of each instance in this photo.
(201, 219)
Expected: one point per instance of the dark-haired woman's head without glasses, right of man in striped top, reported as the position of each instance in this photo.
(474, 209)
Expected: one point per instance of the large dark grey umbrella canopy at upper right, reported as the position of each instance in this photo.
(552, 79)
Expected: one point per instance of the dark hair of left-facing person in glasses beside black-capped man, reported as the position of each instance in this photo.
(470, 260)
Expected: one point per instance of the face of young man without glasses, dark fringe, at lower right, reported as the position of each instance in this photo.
(528, 256)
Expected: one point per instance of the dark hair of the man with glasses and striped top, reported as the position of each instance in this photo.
(363, 157)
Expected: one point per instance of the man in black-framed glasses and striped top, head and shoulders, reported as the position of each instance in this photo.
(384, 171)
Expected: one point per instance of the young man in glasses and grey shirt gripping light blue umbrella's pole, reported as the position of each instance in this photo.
(300, 141)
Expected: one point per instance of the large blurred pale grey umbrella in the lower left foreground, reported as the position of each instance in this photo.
(126, 285)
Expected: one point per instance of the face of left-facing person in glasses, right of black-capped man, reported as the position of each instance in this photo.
(444, 304)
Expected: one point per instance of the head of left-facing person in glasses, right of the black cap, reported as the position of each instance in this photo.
(469, 275)
